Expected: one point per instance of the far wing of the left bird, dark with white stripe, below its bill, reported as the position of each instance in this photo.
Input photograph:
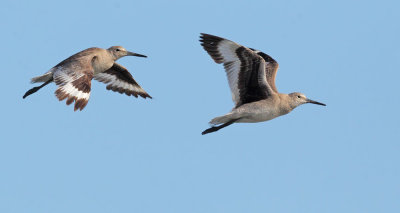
(118, 79)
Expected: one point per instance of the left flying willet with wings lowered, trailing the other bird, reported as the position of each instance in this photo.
(73, 76)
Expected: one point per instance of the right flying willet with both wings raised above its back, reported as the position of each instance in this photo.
(251, 76)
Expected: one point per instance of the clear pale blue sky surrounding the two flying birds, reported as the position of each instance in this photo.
(122, 154)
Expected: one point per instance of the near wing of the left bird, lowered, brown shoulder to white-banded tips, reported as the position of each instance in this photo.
(73, 79)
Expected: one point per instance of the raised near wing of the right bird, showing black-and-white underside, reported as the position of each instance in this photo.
(245, 69)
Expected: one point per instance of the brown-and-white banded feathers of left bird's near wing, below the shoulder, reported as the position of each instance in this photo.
(73, 85)
